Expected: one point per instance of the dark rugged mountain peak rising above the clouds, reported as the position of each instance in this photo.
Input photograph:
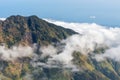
(28, 30)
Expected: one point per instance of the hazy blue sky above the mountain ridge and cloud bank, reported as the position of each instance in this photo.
(106, 12)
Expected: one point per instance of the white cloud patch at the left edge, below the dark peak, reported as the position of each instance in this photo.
(15, 52)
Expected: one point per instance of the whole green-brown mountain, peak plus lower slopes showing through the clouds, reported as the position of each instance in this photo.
(26, 31)
